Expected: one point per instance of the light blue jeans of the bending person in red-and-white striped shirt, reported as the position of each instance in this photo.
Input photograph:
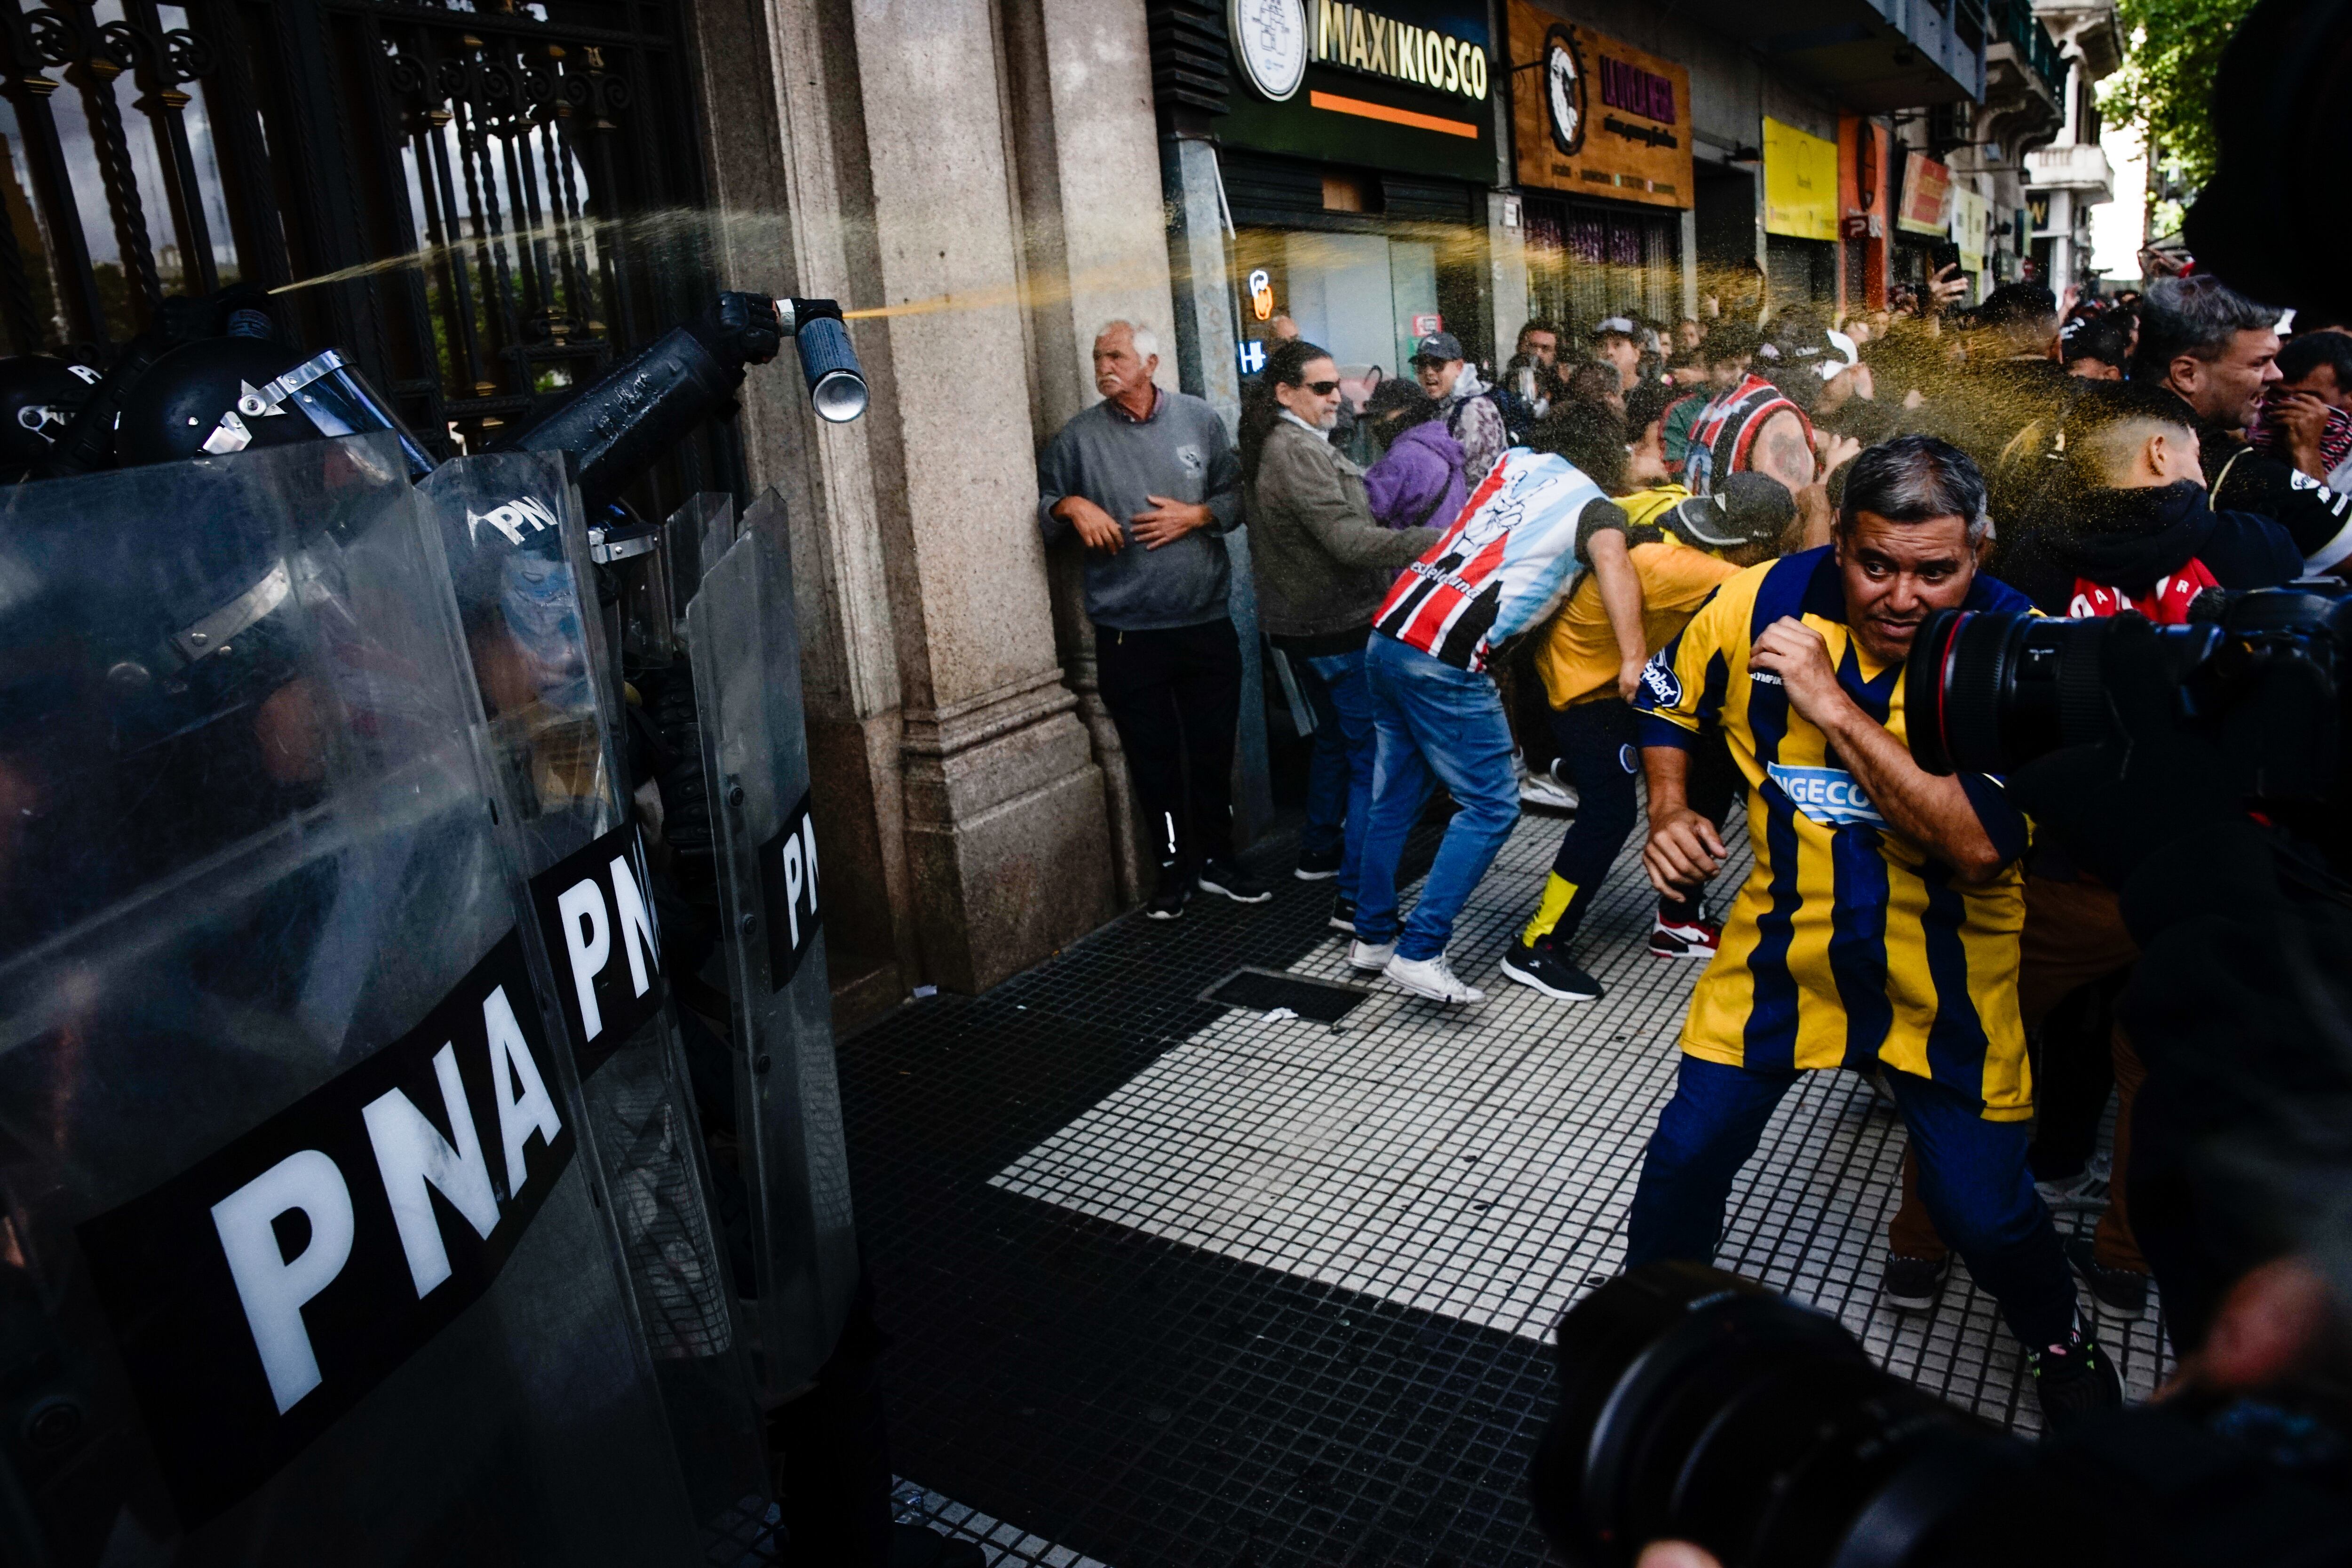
(1445, 723)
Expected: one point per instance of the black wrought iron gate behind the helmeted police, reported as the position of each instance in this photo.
(535, 166)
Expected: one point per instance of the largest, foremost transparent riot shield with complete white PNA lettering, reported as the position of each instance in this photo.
(298, 1254)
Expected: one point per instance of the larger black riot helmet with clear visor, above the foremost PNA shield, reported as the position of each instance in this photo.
(222, 396)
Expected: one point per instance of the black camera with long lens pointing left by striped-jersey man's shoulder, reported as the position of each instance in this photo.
(1991, 692)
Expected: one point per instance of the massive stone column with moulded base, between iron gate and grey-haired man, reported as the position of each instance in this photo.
(900, 180)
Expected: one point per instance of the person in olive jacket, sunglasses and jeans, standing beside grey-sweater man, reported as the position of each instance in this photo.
(1323, 568)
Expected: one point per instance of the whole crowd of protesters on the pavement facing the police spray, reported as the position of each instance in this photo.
(1664, 568)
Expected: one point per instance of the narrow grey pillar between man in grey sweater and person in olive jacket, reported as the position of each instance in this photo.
(1205, 363)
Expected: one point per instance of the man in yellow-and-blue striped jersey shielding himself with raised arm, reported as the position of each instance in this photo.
(1880, 923)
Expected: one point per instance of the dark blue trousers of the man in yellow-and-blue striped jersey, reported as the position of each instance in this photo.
(1972, 1174)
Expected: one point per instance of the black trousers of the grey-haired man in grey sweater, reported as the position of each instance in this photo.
(1177, 697)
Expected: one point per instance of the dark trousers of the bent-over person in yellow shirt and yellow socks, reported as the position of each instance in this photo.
(1603, 758)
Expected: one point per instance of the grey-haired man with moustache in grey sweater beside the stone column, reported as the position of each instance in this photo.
(1147, 481)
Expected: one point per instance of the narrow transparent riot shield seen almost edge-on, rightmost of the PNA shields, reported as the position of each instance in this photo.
(756, 758)
